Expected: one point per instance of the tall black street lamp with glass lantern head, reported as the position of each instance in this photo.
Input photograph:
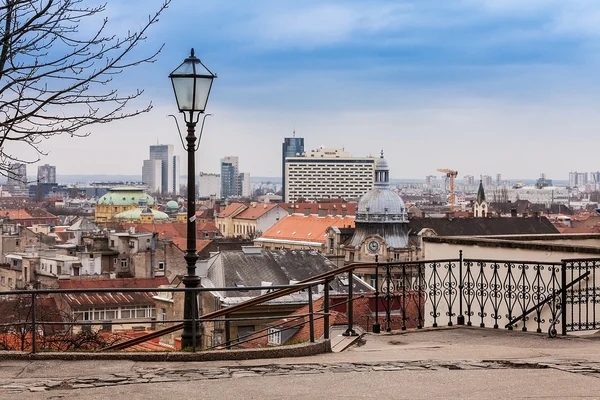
(192, 82)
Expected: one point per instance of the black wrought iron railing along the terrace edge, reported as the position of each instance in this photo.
(472, 292)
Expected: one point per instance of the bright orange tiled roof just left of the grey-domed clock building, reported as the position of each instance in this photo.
(309, 228)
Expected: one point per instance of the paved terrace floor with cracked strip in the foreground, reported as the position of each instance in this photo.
(458, 363)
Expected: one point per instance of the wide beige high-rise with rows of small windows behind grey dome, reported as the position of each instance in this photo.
(328, 173)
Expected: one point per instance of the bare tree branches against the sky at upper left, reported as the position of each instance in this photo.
(56, 80)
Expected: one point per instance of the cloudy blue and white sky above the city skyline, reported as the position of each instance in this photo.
(480, 86)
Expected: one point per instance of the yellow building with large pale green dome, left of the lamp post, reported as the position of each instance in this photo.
(119, 200)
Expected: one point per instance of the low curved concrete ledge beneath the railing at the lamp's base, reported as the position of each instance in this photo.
(296, 350)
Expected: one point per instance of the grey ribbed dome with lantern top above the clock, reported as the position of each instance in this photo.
(381, 204)
